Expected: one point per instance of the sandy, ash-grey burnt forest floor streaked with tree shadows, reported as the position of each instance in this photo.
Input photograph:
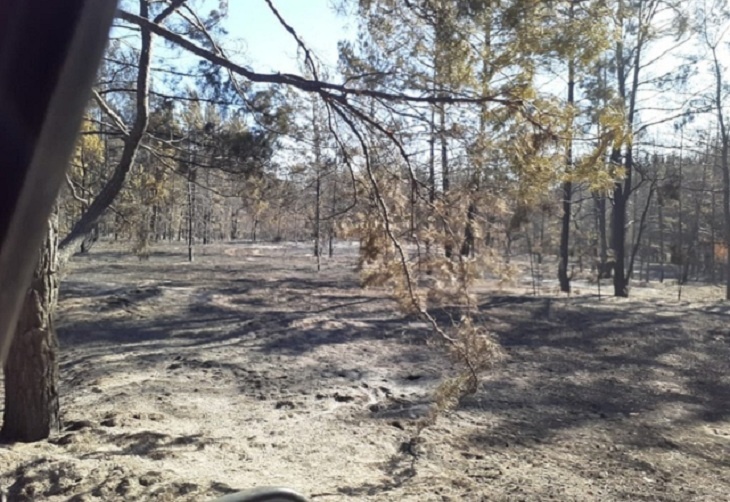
(184, 381)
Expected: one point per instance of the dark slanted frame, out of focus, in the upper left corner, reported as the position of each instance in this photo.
(49, 54)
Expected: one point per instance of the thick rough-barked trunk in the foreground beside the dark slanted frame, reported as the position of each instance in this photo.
(31, 371)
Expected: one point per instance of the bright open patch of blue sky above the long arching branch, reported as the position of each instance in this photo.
(268, 47)
